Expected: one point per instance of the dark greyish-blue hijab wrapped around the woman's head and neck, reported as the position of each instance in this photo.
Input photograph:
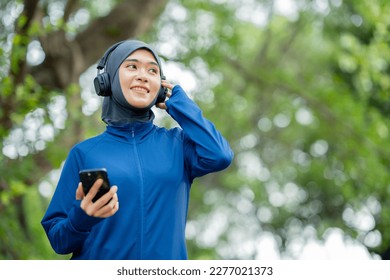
(116, 110)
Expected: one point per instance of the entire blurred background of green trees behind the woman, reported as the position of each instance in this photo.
(300, 88)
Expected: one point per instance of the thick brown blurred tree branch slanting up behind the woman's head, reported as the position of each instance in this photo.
(66, 60)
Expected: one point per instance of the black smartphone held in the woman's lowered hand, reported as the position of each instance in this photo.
(88, 178)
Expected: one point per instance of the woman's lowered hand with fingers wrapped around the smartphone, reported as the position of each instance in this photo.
(104, 207)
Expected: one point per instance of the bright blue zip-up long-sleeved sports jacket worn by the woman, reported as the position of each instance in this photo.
(153, 168)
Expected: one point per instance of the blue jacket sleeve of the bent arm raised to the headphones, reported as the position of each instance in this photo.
(205, 148)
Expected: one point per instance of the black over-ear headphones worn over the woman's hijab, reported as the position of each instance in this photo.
(102, 80)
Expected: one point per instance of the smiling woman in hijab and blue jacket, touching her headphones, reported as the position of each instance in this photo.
(151, 169)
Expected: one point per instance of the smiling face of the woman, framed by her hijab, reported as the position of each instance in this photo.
(139, 77)
